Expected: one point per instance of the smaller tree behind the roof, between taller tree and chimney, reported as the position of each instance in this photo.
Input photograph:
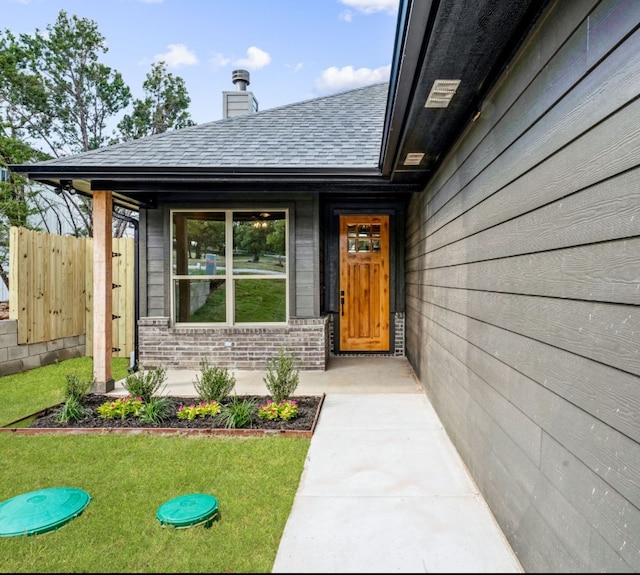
(163, 108)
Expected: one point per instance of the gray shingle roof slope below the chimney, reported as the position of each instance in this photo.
(338, 131)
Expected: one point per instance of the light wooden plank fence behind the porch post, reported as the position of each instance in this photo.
(51, 289)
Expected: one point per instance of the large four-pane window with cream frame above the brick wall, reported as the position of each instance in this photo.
(229, 266)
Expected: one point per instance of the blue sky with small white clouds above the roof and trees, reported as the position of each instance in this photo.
(294, 50)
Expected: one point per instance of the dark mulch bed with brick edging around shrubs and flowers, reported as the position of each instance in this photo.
(304, 424)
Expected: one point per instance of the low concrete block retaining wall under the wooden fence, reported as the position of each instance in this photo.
(15, 358)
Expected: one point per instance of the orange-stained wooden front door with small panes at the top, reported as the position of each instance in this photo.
(364, 283)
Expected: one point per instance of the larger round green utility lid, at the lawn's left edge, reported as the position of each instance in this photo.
(41, 511)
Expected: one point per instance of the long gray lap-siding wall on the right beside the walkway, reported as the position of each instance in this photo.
(523, 307)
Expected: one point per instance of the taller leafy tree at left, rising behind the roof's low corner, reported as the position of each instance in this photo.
(56, 96)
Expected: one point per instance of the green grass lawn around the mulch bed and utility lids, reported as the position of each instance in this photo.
(129, 476)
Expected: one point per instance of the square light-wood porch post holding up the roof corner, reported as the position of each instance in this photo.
(102, 291)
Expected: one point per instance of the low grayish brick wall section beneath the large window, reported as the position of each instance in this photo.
(246, 348)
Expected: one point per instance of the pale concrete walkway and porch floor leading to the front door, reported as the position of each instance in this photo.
(383, 490)
